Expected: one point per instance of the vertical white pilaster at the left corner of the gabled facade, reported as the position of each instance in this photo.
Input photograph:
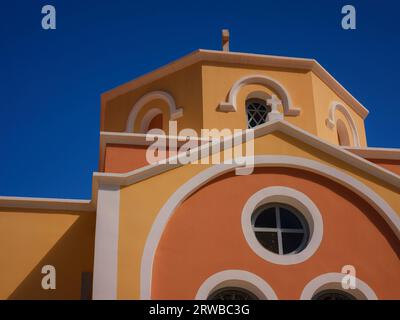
(105, 267)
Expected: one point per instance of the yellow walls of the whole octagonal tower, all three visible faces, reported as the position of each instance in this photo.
(200, 88)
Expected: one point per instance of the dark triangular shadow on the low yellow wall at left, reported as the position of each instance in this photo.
(72, 257)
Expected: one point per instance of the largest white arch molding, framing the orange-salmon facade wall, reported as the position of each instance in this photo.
(188, 188)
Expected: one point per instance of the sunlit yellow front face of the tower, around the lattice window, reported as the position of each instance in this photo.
(219, 78)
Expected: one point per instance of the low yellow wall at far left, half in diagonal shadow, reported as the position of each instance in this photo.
(30, 239)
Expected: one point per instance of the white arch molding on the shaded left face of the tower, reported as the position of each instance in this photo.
(174, 112)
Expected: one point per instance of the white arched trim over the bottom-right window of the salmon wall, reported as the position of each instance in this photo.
(329, 281)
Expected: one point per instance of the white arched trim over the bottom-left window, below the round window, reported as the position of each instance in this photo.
(236, 278)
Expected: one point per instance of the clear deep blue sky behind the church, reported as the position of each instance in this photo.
(51, 81)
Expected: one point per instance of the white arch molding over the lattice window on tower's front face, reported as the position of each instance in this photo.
(231, 104)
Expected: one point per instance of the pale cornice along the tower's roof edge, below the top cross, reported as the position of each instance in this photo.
(239, 58)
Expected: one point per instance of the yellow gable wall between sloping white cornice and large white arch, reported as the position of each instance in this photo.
(139, 205)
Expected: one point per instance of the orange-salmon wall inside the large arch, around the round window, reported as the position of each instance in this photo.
(205, 236)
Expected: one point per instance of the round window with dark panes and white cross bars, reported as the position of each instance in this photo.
(280, 228)
